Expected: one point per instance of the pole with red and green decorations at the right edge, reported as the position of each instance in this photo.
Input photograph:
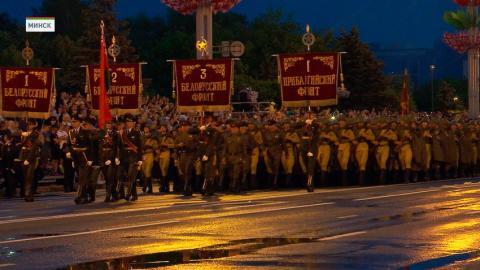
(466, 40)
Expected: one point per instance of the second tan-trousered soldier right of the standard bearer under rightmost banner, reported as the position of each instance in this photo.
(345, 139)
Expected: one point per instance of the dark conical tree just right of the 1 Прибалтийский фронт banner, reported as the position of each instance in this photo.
(363, 73)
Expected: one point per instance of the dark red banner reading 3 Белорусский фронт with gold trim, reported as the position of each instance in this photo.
(203, 85)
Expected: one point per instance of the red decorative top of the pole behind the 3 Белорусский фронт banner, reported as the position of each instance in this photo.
(190, 6)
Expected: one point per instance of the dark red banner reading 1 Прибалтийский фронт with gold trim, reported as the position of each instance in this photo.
(309, 79)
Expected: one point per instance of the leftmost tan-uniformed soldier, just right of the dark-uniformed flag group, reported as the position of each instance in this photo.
(149, 144)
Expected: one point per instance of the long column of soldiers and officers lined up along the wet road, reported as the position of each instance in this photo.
(212, 155)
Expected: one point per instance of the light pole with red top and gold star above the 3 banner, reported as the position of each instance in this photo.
(204, 10)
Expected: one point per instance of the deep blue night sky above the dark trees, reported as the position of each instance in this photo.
(392, 23)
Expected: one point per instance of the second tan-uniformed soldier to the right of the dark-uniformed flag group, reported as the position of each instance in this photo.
(165, 146)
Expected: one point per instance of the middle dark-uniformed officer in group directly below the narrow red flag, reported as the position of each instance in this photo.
(109, 157)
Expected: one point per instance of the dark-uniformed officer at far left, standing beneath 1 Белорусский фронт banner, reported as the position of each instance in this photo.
(29, 157)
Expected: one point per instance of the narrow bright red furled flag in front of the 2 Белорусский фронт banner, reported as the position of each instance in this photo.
(104, 114)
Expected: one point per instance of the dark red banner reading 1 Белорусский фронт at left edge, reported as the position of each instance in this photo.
(27, 92)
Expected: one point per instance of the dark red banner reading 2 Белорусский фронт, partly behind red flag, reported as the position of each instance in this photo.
(125, 88)
